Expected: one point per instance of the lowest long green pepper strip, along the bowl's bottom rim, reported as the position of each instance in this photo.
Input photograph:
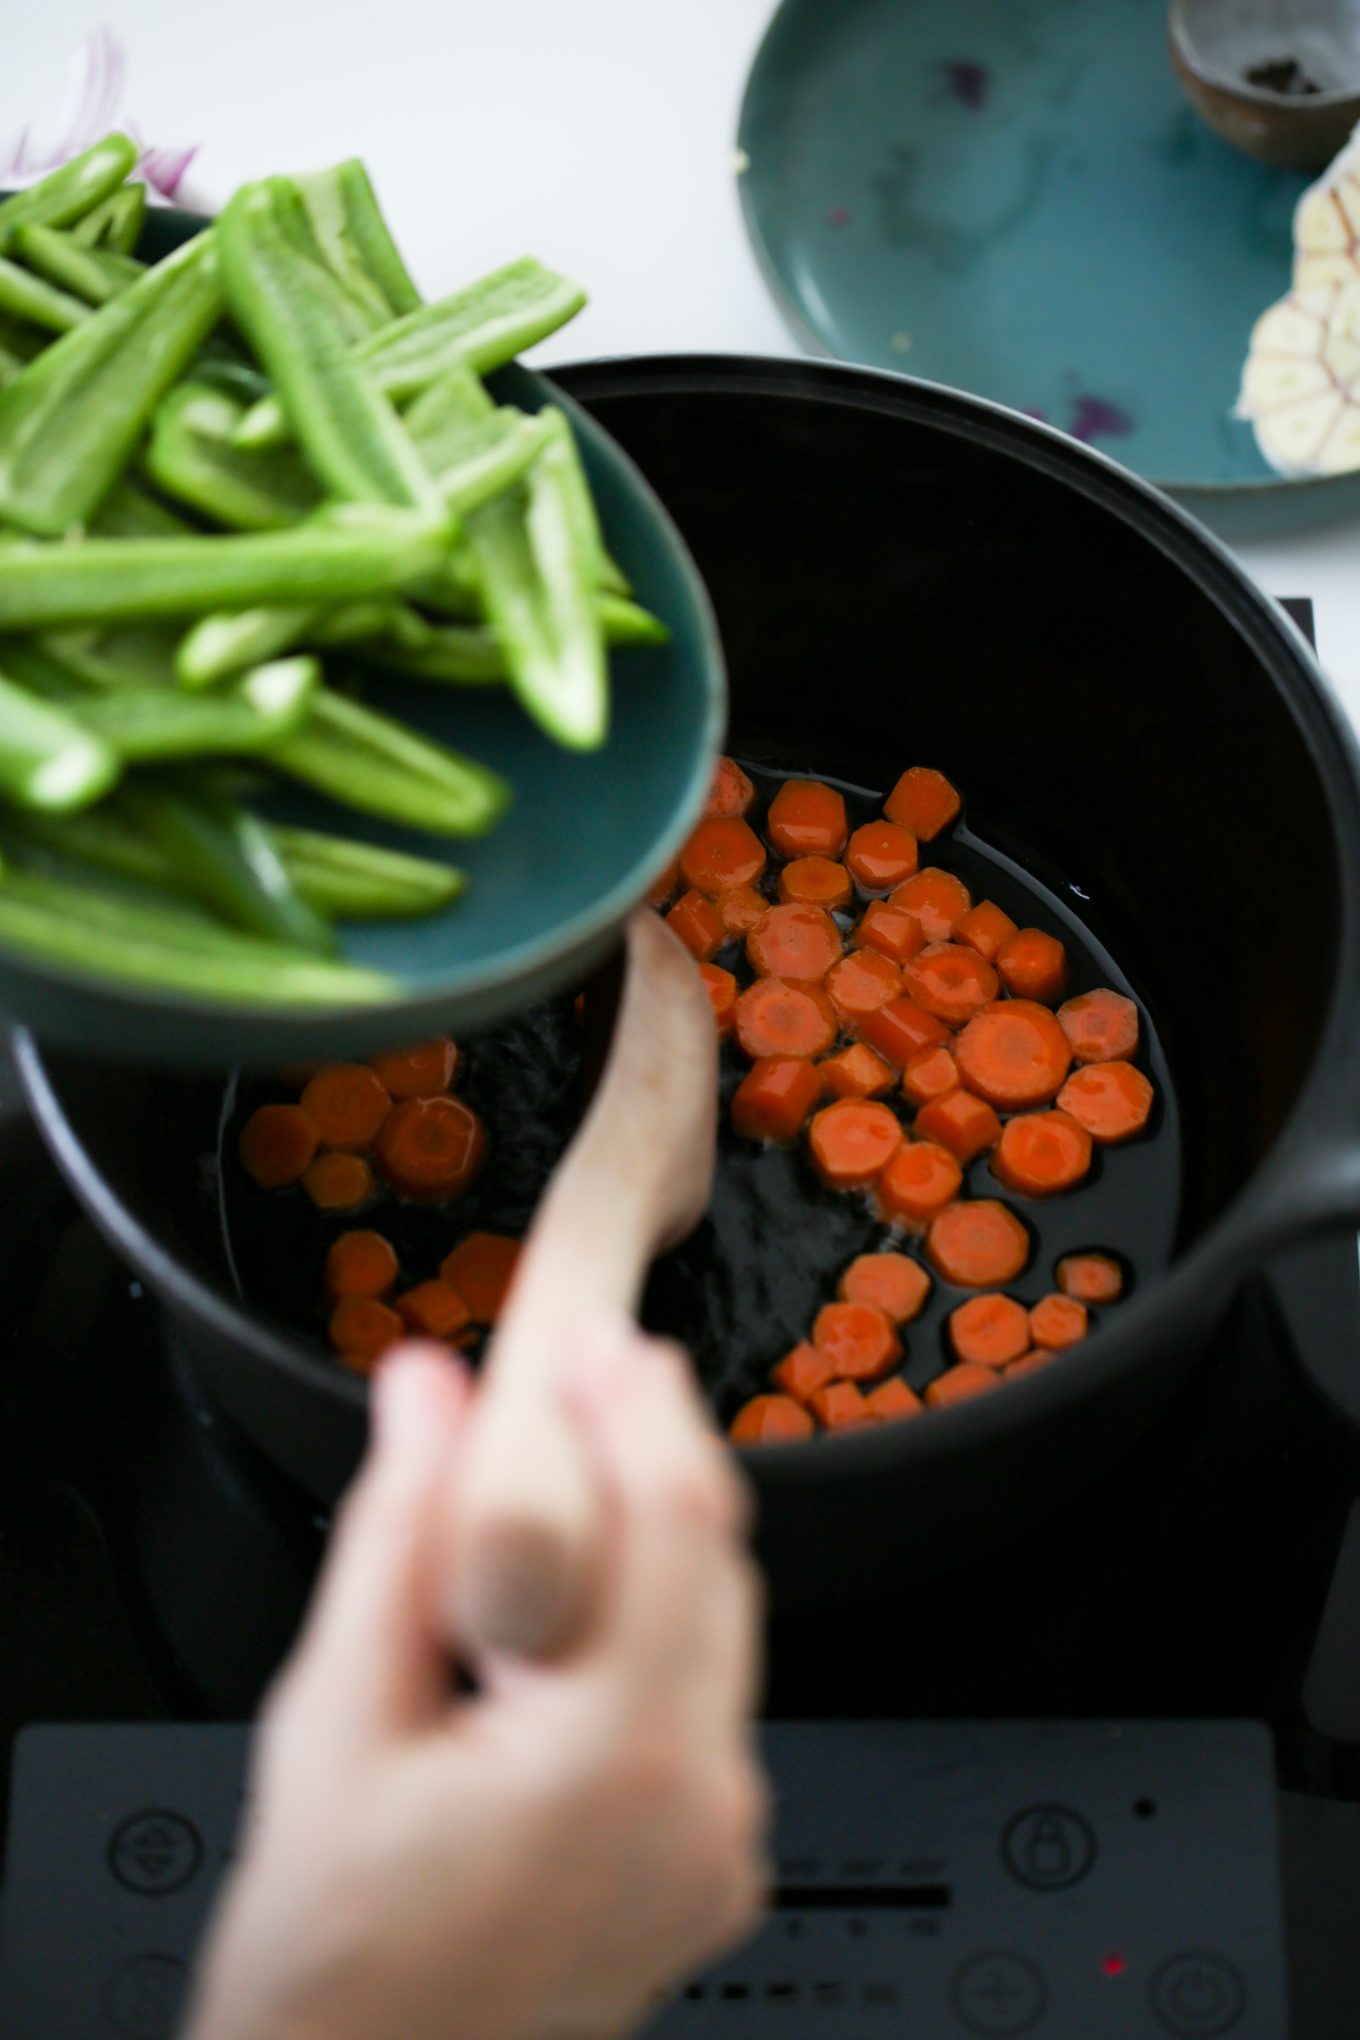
(101, 933)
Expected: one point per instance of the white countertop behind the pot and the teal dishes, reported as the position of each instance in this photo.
(594, 134)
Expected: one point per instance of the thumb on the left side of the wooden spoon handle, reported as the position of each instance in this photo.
(368, 1666)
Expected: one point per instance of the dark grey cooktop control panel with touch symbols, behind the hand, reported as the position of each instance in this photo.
(933, 1880)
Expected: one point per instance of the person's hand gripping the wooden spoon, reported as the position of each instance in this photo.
(537, 1861)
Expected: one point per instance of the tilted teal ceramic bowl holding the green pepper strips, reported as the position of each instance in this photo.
(547, 890)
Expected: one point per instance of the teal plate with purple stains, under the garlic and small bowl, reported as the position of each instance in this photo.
(1012, 197)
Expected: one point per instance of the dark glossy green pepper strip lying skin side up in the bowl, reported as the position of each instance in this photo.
(229, 860)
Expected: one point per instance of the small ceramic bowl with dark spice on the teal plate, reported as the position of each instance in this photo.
(1277, 79)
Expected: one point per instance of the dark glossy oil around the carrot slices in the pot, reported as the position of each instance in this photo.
(774, 1243)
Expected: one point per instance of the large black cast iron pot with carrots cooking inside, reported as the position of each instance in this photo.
(906, 574)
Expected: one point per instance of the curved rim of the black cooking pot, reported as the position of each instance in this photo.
(1235, 1239)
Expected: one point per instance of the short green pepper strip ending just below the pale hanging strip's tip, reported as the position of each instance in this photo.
(378, 766)
